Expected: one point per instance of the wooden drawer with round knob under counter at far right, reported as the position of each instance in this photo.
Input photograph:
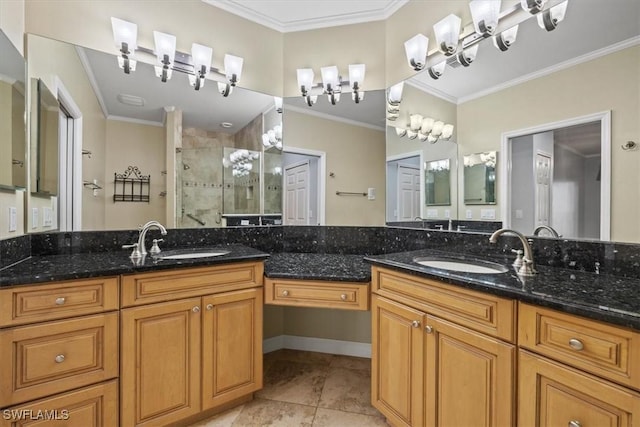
(602, 349)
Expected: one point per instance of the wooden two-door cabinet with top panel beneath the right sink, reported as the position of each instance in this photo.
(429, 366)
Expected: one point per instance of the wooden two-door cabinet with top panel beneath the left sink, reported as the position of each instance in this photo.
(189, 355)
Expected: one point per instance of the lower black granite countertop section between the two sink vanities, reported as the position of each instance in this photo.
(313, 266)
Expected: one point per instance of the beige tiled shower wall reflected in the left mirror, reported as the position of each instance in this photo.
(201, 171)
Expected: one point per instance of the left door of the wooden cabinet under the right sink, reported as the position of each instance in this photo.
(397, 349)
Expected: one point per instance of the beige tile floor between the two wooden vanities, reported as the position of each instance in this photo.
(308, 389)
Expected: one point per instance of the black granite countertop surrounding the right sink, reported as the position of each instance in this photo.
(608, 298)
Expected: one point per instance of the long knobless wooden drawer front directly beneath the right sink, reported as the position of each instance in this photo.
(479, 311)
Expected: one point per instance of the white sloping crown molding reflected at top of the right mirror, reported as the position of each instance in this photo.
(633, 41)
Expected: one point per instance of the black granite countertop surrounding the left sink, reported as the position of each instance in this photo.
(40, 269)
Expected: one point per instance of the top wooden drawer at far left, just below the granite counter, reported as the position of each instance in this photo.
(36, 303)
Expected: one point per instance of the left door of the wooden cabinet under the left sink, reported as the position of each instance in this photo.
(160, 360)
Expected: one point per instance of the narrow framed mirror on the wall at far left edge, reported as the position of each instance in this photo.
(13, 171)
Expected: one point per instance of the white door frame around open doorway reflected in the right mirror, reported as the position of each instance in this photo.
(604, 117)
